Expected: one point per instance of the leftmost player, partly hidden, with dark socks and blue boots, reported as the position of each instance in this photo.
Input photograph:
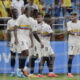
(10, 31)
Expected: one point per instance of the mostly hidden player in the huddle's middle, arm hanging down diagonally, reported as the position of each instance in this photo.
(34, 52)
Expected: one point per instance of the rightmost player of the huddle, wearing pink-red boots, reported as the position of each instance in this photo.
(46, 52)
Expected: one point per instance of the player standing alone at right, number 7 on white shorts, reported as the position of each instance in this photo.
(74, 39)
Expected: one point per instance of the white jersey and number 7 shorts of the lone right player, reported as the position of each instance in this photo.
(74, 40)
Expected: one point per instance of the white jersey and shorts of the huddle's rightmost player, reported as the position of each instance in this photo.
(44, 31)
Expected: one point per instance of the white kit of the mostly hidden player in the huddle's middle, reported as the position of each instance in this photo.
(36, 49)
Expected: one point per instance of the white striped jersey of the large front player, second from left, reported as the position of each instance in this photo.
(25, 27)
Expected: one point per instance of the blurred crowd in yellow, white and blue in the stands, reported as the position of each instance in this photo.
(56, 8)
